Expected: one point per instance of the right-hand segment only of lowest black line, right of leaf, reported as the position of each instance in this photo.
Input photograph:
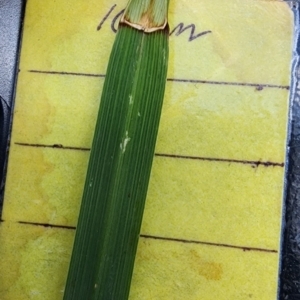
(207, 243)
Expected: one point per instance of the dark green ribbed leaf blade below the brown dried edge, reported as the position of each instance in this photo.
(119, 167)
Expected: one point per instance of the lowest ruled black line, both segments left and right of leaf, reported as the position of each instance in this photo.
(146, 236)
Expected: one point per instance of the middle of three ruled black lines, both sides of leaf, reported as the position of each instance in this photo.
(253, 163)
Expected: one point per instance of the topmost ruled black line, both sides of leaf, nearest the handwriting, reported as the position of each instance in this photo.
(258, 86)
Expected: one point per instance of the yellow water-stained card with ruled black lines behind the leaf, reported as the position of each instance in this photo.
(211, 228)
